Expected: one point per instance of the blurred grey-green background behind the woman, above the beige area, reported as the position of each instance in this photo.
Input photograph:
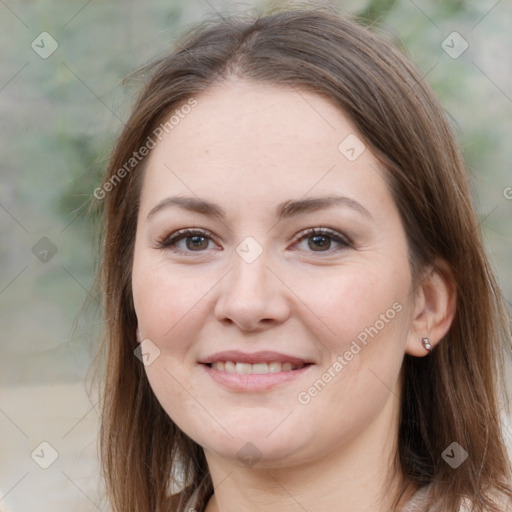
(60, 115)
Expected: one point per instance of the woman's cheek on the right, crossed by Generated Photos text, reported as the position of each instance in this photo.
(369, 317)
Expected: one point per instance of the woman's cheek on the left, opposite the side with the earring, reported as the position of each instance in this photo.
(170, 307)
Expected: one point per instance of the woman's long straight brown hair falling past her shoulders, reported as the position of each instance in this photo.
(451, 396)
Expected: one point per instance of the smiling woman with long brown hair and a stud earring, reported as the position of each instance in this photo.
(291, 253)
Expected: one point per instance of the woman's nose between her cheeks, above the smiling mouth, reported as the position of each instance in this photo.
(252, 297)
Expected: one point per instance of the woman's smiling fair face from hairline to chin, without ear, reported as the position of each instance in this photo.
(270, 280)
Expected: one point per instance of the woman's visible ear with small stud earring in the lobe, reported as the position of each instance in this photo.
(434, 310)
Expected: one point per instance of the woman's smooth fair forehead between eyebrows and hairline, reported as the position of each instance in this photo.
(246, 141)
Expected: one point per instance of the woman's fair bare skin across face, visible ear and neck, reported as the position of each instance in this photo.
(248, 147)
